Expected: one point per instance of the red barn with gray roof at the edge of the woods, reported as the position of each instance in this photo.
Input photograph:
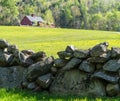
(31, 20)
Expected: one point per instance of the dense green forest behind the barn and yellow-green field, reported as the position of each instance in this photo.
(87, 14)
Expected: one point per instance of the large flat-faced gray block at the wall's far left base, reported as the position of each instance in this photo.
(12, 77)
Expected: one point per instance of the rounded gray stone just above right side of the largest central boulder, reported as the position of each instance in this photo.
(87, 67)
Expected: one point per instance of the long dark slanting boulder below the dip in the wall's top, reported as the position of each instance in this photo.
(39, 69)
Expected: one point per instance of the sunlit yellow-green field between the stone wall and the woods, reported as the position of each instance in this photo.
(53, 40)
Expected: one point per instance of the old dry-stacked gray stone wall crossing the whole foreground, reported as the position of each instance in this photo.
(91, 72)
